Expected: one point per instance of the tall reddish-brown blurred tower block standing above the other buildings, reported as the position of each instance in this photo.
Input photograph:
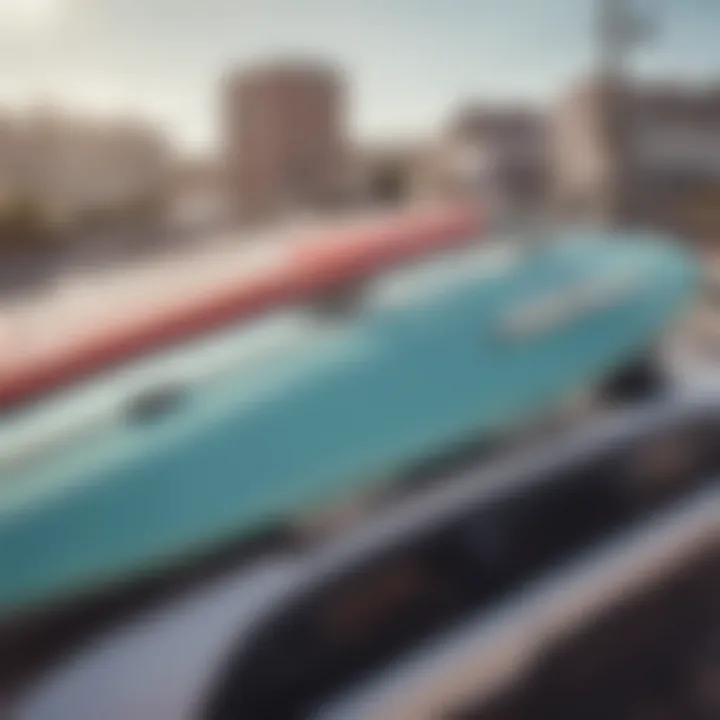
(284, 140)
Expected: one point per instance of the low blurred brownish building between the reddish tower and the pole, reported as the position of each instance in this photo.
(499, 155)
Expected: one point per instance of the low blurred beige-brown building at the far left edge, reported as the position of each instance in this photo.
(71, 169)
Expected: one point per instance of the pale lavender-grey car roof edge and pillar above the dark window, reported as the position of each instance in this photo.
(199, 632)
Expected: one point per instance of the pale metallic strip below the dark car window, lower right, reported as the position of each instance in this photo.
(483, 656)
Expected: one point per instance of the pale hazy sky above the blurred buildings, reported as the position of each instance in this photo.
(408, 63)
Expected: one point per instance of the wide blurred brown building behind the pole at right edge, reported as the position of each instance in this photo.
(668, 165)
